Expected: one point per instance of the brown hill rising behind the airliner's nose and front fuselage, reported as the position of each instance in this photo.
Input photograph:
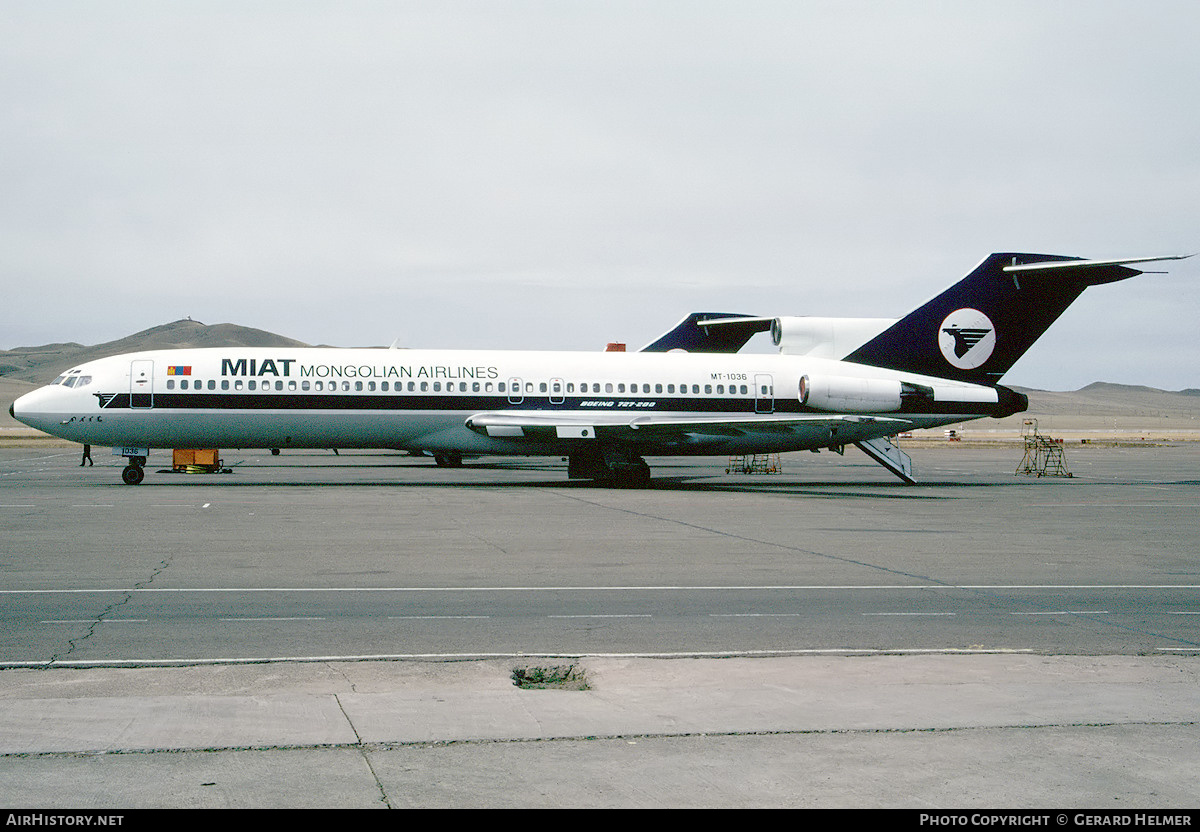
(43, 364)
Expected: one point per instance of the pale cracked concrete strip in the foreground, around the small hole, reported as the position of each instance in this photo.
(935, 732)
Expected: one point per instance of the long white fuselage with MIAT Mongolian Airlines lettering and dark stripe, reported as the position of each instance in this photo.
(427, 400)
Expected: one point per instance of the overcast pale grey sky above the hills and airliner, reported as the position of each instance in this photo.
(560, 175)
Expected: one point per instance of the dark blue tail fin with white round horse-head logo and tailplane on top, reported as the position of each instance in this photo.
(977, 330)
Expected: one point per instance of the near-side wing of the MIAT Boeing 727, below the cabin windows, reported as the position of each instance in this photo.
(632, 427)
